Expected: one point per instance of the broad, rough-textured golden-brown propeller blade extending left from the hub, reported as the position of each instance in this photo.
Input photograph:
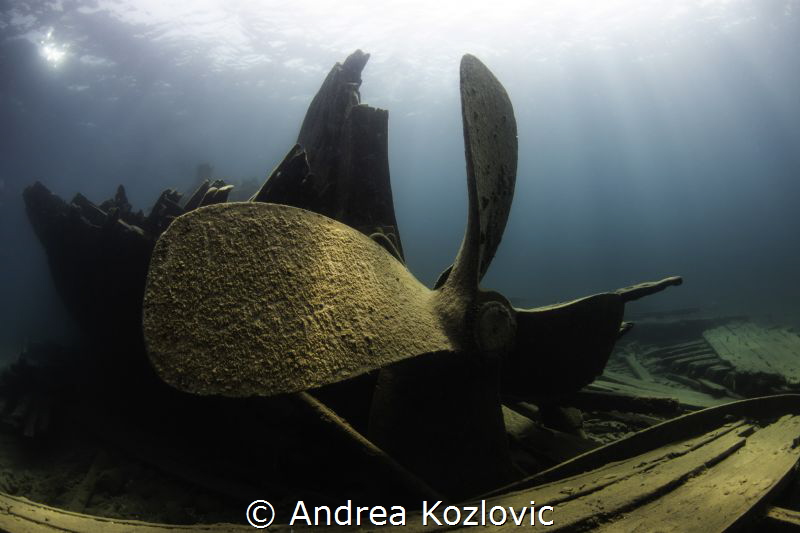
(259, 299)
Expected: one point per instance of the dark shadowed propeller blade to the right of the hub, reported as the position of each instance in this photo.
(562, 348)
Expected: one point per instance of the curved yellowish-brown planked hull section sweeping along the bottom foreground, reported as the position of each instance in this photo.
(701, 472)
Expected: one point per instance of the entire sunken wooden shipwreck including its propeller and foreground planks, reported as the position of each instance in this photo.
(292, 329)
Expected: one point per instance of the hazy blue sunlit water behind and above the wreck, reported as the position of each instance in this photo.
(653, 141)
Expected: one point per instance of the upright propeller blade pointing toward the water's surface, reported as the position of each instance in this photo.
(490, 141)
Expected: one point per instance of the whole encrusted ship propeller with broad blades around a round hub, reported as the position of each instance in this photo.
(261, 299)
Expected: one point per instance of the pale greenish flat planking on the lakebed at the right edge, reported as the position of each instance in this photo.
(751, 348)
